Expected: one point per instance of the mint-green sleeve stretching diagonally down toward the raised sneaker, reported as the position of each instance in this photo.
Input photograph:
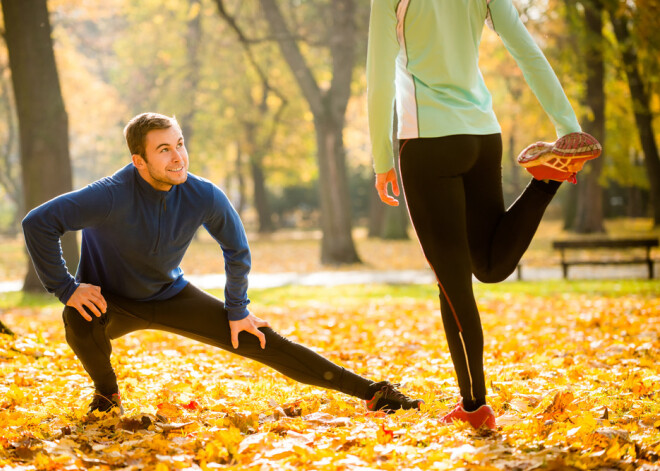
(535, 67)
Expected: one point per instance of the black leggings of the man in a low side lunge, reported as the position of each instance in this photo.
(200, 316)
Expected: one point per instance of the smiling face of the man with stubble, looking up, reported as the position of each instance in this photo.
(166, 162)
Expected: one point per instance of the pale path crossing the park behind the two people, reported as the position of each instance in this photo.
(357, 277)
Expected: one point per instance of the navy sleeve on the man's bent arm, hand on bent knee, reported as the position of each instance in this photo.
(45, 224)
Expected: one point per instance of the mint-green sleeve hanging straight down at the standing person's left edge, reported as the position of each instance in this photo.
(382, 51)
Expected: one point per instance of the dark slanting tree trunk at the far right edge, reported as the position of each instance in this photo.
(642, 110)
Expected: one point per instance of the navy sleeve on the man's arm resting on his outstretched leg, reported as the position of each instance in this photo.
(225, 226)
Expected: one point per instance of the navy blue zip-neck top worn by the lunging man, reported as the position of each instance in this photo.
(134, 238)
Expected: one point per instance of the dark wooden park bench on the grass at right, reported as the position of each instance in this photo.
(629, 257)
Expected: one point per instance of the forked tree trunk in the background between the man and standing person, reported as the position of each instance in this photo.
(328, 108)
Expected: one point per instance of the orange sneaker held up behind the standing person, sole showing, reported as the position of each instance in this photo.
(562, 159)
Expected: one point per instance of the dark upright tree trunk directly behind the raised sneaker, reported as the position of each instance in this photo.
(589, 211)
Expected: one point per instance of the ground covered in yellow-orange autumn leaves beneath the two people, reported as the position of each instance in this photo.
(573, 372)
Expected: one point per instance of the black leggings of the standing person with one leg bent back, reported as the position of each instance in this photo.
(453, 188)
